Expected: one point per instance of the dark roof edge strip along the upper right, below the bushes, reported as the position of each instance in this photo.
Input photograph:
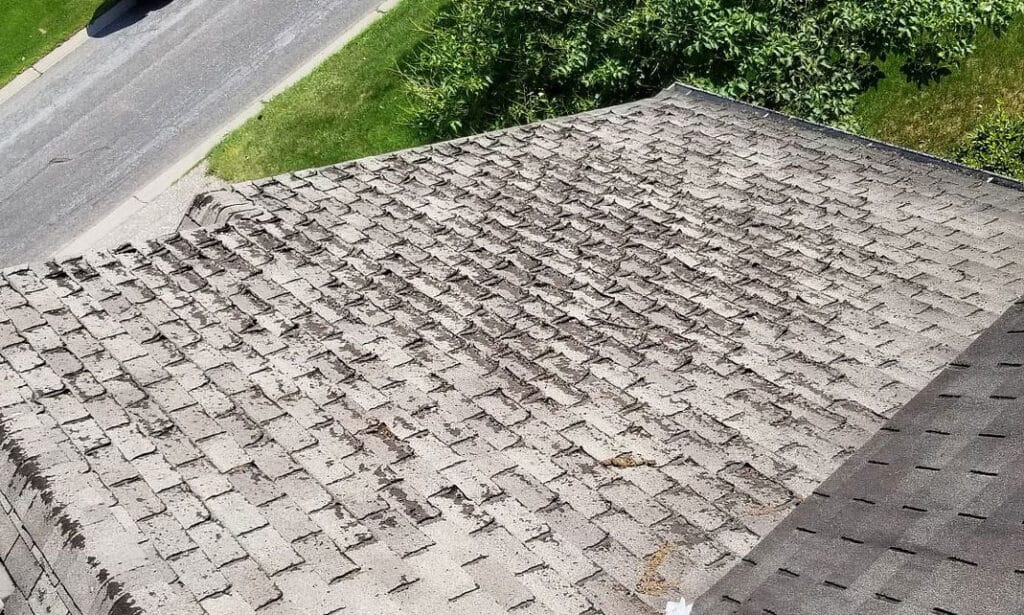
(682, 92)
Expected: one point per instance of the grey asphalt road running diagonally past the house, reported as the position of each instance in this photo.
(136, 99)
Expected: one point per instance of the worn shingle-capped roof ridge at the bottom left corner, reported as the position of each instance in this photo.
(102, 567)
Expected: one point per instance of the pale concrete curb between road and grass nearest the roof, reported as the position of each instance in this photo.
(164, 181)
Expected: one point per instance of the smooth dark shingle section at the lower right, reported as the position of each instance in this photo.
(927, 518)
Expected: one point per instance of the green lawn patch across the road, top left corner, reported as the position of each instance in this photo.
(31, 29)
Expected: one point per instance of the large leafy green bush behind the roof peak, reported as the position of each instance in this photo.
(497, 63)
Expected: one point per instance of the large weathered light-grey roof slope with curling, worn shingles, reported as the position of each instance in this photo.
(576, 367)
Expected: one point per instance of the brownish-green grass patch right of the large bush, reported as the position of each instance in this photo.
(936, 118)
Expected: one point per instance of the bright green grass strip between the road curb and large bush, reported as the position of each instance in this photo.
(356, 105)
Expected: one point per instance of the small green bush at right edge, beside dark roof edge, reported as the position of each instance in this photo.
(997, 145)
